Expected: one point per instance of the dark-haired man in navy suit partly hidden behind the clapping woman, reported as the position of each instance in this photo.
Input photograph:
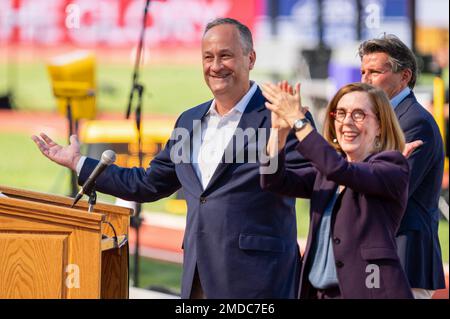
(390, 65)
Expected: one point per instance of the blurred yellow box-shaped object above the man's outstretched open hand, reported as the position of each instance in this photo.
(73, 80)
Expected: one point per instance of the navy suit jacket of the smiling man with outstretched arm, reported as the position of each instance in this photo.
(242, 239)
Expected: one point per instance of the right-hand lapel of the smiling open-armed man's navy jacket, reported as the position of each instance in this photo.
(252, 119)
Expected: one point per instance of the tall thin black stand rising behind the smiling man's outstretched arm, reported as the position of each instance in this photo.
(138, 88)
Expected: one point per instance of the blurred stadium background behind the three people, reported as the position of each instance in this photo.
(33, 32)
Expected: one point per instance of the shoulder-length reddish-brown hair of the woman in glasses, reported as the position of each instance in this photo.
(391, 135)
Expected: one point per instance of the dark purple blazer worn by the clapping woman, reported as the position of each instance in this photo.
(365, 218)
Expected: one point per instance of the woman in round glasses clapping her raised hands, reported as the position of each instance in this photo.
(357, 184)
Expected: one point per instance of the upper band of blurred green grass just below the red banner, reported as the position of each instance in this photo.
(169, 89)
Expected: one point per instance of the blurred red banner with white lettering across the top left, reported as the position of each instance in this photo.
(115, 23)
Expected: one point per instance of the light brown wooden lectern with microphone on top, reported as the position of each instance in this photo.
(49, 250)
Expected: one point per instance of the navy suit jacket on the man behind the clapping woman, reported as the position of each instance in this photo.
(418, 242)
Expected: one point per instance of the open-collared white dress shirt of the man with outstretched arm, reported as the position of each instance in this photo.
(216, 132)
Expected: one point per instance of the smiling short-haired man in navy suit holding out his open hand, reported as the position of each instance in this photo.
(240, 241)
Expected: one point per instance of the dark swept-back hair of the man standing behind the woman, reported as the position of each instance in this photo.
(400, 56)
